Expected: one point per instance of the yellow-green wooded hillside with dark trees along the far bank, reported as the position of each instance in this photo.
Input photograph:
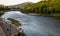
(48, 7)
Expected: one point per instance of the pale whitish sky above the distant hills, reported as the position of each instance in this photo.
(13, 2)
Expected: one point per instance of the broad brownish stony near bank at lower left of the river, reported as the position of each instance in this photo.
(11, 29)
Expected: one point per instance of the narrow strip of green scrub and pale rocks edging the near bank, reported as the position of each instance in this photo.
(18, 26)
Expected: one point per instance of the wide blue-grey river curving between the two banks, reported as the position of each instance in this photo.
(36, 25)
